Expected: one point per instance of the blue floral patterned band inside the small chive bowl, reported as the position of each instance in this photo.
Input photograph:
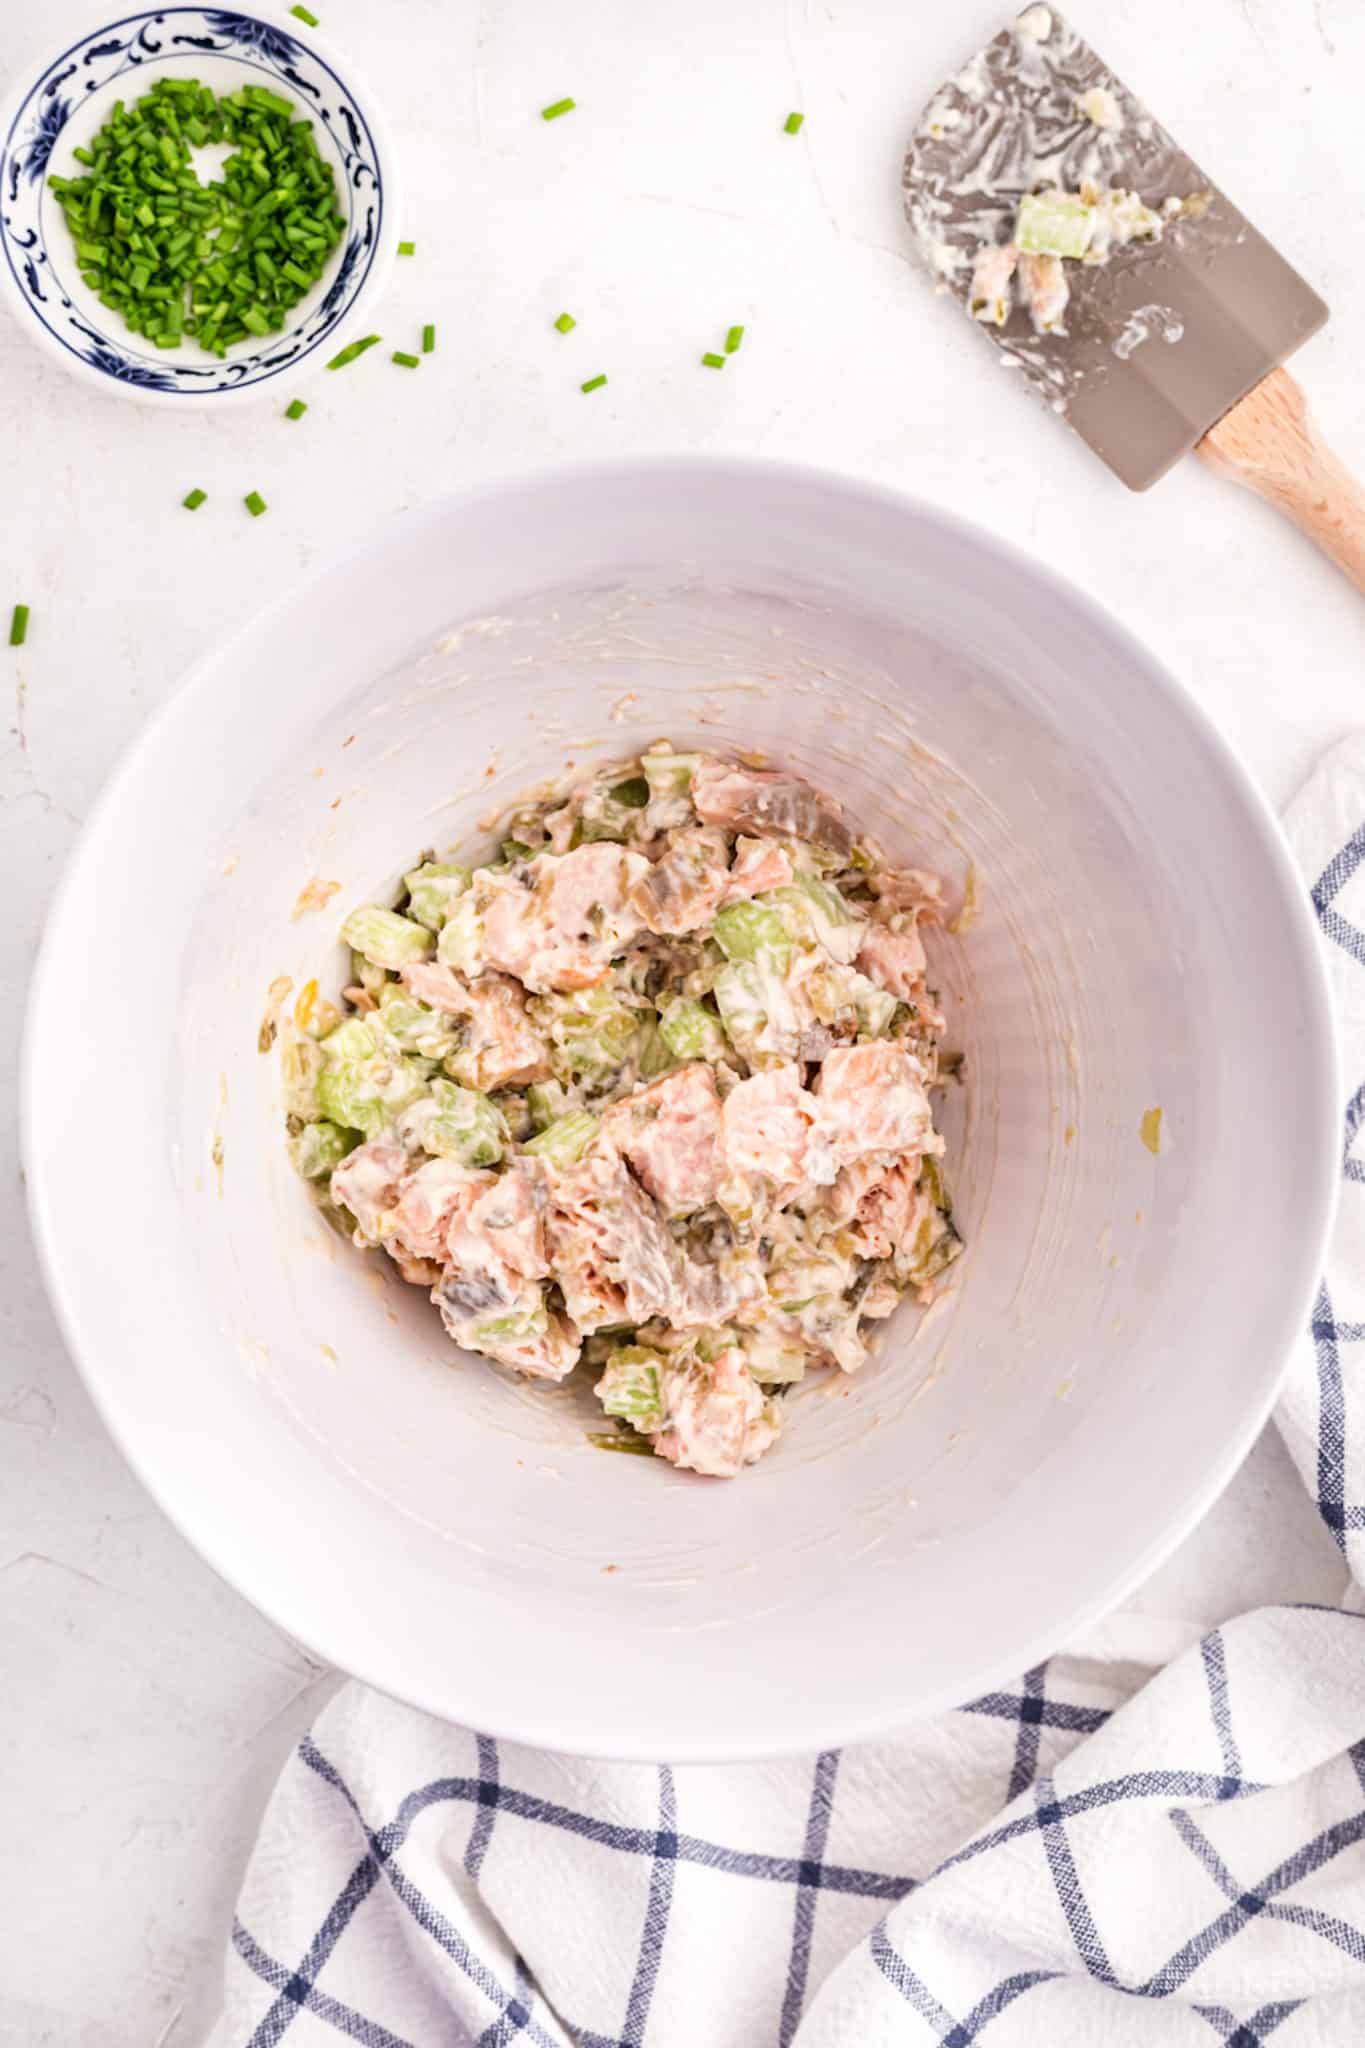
(36, 241)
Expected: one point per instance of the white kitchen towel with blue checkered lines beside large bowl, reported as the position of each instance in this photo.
(1084, 1861)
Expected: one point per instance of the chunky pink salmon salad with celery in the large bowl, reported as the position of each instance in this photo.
(650, 1095)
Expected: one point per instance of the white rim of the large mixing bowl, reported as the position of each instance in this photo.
(1321, 1064)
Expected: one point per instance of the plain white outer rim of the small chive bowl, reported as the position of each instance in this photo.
(371, 286)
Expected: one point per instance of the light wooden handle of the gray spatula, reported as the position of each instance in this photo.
(1270, 443)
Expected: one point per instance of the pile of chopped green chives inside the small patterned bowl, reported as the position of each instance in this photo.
(220, 261)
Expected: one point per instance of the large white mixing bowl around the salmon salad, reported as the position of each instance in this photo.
(1016, 1459)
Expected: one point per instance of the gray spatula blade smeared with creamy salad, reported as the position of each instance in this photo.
(1163, 339)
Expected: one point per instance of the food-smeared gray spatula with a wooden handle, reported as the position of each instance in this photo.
(1165, 343)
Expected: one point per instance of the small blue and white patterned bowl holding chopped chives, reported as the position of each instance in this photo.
(64, 103)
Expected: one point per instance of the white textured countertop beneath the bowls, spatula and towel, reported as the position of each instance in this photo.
(144, 1707)
